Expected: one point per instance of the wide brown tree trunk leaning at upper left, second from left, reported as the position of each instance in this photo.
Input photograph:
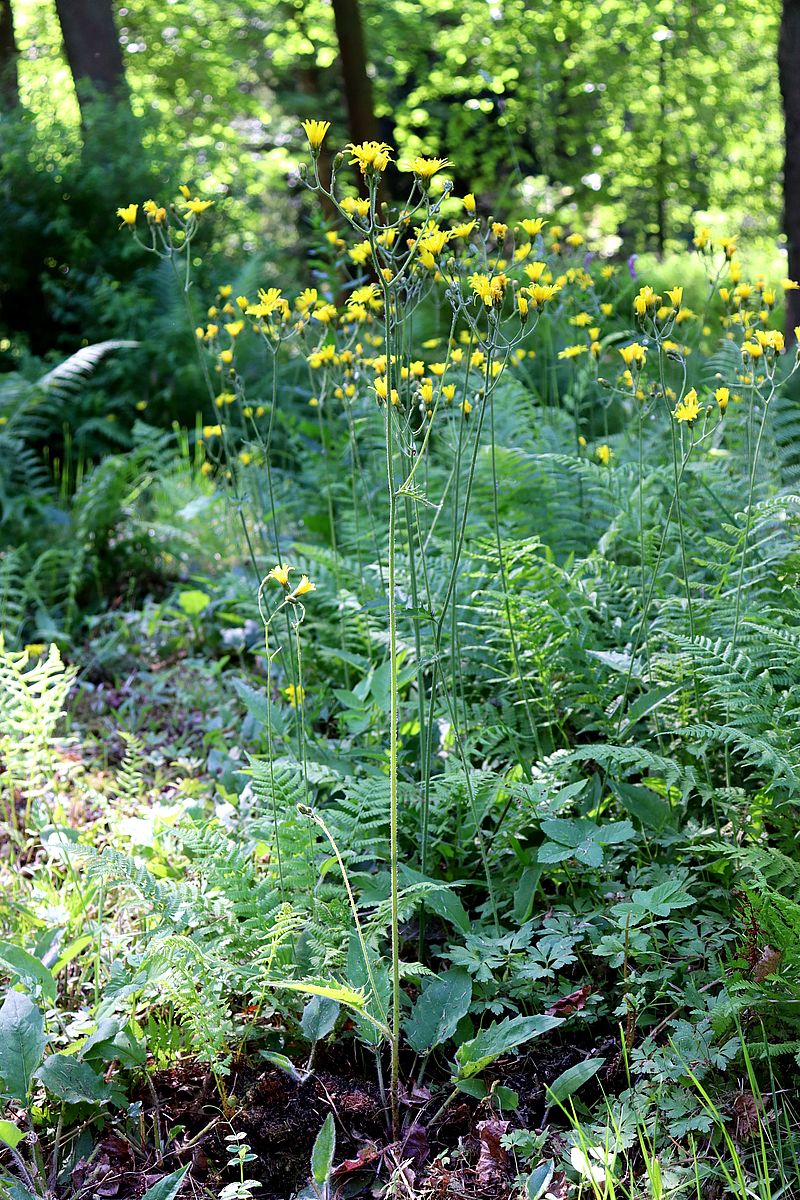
(93, 49)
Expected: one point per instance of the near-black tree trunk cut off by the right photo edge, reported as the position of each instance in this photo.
(789, 58)
